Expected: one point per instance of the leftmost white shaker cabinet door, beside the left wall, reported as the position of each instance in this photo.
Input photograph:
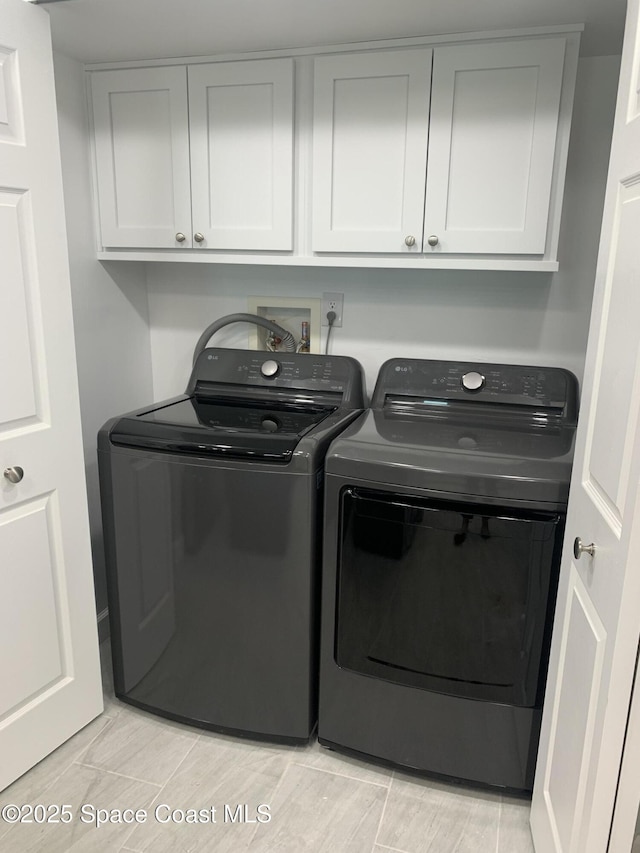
(142, 156)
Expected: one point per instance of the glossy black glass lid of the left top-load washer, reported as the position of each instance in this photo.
(210, 425)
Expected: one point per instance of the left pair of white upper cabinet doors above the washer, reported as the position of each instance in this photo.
(211, 171)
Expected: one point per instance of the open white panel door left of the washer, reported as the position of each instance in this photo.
(49, 667)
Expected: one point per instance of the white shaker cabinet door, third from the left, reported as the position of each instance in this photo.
(369, 151)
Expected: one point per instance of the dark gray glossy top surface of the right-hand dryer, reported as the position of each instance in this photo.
(456, 455)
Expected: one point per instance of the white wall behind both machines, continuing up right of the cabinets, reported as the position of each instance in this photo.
(515, 317)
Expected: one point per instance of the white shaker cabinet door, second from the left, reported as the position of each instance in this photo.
(241, 121)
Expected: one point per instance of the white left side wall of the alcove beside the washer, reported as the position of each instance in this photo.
(110, 311)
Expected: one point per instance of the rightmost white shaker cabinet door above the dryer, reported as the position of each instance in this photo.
(494, 117)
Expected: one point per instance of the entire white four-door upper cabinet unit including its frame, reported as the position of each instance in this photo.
(438, 153)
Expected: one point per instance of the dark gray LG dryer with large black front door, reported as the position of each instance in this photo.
(444, 519)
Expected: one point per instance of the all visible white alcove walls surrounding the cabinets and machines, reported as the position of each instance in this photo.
(137, 322)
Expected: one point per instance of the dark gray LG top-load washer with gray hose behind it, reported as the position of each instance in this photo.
(212, 513)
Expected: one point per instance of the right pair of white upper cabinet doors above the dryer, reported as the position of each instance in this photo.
(487, 149)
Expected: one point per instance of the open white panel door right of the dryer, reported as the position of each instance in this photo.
(597, 624)
